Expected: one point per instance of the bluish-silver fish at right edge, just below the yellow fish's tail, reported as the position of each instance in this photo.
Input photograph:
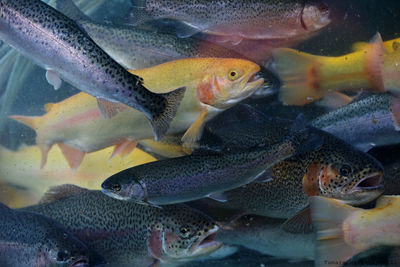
(365, 123)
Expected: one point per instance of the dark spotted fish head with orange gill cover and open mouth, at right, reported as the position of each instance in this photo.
(344, 173)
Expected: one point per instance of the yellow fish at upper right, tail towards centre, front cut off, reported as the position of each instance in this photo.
(307, 78)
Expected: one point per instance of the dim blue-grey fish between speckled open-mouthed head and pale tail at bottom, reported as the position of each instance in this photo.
(266, 236)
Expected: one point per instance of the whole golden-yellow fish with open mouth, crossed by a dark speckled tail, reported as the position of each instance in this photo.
(212, 85)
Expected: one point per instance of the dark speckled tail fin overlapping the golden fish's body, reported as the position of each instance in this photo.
(161, 122)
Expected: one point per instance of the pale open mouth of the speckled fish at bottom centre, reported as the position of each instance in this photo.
(206, 244)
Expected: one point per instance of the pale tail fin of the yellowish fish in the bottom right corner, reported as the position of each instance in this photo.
(328, 216)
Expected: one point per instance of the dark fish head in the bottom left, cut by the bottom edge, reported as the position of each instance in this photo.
(61, 248)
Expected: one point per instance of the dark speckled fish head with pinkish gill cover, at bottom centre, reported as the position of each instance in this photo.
(183, 234)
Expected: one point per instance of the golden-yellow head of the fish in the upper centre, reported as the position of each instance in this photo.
(227, 81)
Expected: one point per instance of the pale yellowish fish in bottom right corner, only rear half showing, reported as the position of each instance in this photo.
(344, 231)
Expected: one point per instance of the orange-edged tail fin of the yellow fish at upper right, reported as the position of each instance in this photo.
(299, 76)
